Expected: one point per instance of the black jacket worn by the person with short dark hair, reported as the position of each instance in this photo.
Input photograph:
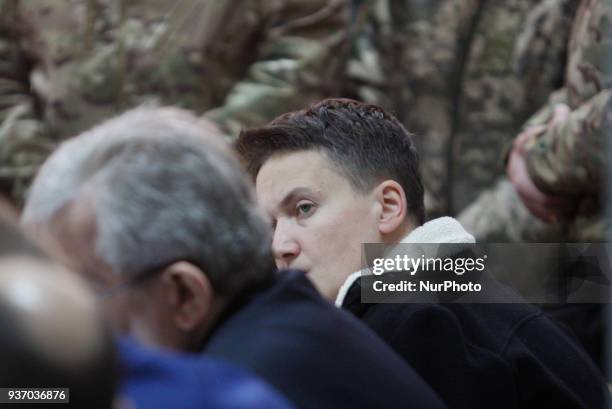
(487, 355)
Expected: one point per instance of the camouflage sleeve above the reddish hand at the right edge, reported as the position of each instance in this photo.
(570, 157)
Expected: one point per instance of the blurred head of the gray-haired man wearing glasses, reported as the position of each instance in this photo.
(152, 209)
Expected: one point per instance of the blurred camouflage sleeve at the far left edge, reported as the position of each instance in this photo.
(20, 147)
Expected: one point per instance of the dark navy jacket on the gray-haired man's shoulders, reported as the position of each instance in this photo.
(315, 354)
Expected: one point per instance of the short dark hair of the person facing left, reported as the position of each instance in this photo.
(365, 143)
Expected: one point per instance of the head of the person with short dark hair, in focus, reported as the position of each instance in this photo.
(332, 177)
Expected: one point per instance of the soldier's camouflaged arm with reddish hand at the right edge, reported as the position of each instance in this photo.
(558, 163)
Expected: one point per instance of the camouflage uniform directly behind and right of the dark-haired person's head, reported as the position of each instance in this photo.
(449, 69)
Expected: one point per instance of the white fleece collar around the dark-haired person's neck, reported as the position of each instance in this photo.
(440, 230)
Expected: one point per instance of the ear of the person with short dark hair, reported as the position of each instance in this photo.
(392, 204)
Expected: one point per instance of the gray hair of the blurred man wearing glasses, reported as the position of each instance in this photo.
(163, 188)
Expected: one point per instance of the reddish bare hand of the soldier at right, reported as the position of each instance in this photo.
(546, 207)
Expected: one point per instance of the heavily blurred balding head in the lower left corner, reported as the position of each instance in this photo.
(52, 334)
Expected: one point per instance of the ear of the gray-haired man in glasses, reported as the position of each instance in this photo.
(190, 294)
